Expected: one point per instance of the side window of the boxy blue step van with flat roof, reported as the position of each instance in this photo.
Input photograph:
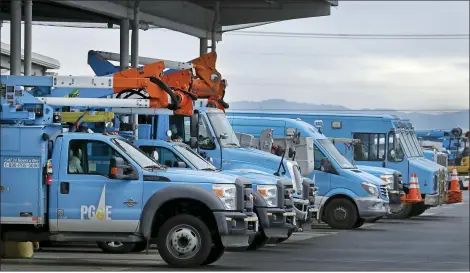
(371, 148)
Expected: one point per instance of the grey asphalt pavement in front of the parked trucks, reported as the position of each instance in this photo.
(438, 240)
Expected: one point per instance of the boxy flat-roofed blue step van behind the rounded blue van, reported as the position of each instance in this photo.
(386, 141)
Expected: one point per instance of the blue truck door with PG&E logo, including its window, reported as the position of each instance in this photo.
(88, 200)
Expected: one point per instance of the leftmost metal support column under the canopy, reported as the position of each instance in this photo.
(15, 37)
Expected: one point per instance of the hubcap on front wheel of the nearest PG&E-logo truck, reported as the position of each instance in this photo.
(183, 242)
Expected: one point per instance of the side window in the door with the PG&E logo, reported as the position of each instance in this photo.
(90, 157)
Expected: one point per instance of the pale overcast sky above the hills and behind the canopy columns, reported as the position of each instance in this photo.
(398, 74)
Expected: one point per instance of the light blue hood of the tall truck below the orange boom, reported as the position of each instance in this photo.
(252, 159)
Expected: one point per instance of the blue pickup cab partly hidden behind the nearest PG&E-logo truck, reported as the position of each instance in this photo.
(273, 201)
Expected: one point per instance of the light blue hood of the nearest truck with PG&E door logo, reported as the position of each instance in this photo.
(195, 176)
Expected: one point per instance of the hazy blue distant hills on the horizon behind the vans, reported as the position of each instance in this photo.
(421, 121)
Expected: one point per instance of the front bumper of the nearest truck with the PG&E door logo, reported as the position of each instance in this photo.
(235, 227)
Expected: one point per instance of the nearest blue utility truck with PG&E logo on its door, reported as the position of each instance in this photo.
(73, 186)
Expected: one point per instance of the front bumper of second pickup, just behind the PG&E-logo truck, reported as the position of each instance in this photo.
(276, 222)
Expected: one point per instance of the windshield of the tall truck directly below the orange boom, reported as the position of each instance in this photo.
(223, 130)
